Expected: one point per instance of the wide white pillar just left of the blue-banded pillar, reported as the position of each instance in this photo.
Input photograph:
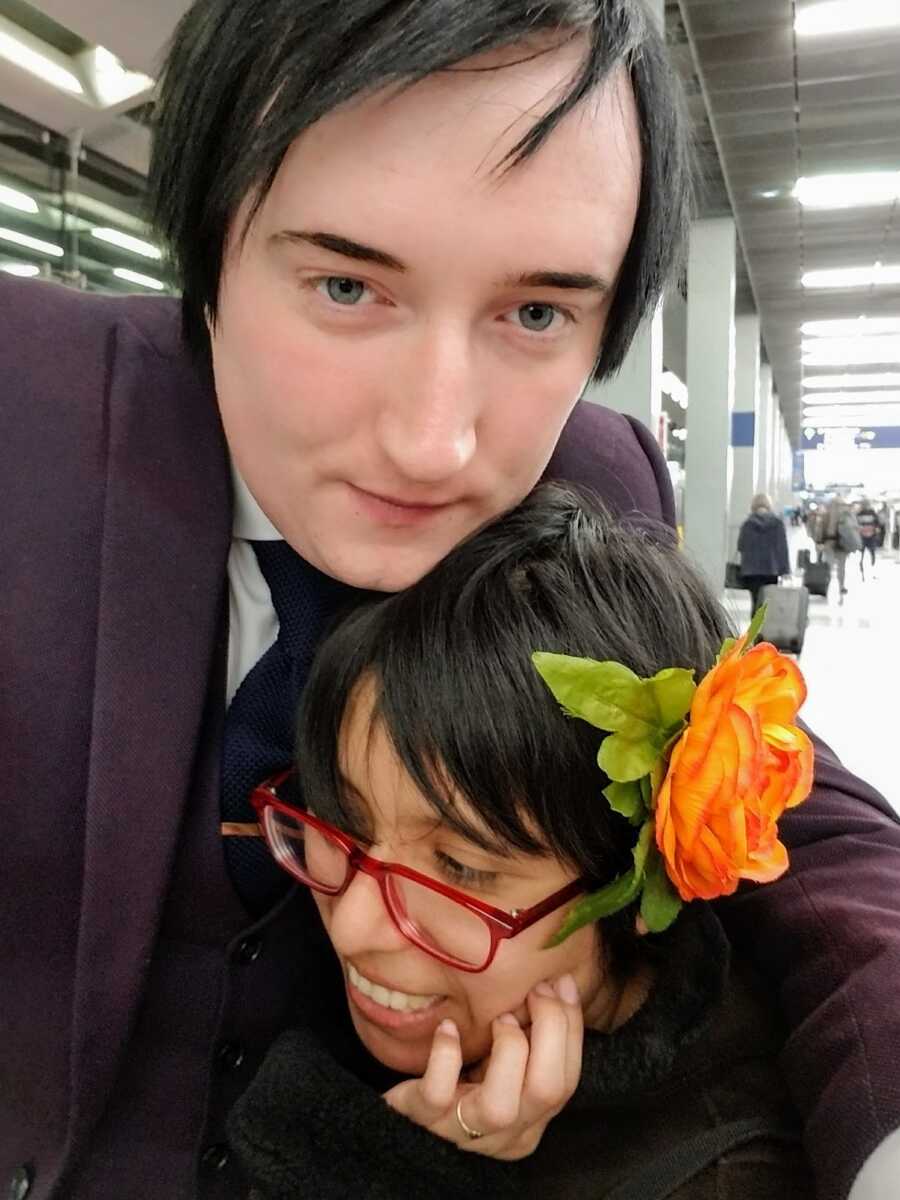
(711, 385)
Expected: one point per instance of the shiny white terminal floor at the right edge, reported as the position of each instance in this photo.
(851, 661)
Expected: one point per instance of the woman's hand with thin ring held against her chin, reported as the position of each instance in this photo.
(527, 1079)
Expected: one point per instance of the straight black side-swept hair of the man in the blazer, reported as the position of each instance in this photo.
(244, 79)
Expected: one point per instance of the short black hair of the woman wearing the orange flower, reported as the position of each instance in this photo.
(460, 699)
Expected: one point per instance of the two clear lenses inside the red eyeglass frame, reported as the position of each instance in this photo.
(427, 917)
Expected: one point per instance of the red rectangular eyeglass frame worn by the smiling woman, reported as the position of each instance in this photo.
(502, 926)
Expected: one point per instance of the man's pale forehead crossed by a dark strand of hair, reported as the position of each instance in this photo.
(463, 125)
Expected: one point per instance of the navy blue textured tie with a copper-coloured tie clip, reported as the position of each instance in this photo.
(261, 721)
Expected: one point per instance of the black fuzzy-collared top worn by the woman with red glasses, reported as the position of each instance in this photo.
(683, 1101)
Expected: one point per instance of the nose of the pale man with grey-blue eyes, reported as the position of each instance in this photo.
(429, 425)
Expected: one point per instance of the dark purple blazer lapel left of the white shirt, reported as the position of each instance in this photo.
(166, 538)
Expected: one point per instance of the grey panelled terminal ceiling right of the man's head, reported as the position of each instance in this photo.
(782, 107)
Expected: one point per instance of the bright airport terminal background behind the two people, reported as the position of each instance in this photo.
(775, 364)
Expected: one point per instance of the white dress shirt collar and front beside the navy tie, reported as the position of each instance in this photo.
(254, 625)
